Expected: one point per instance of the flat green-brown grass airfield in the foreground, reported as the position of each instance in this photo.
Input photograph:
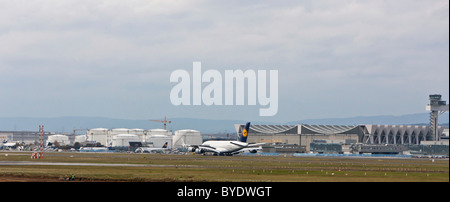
(182, 168)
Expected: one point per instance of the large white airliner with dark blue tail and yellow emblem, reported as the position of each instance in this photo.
(227, 148)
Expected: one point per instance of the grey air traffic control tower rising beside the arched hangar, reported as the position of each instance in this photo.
(437, 107)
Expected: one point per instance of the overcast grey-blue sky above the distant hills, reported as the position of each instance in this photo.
(114, 58)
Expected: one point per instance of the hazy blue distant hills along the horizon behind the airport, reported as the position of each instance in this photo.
(67, 124)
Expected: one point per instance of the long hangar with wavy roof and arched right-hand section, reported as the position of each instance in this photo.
(304, 134)
